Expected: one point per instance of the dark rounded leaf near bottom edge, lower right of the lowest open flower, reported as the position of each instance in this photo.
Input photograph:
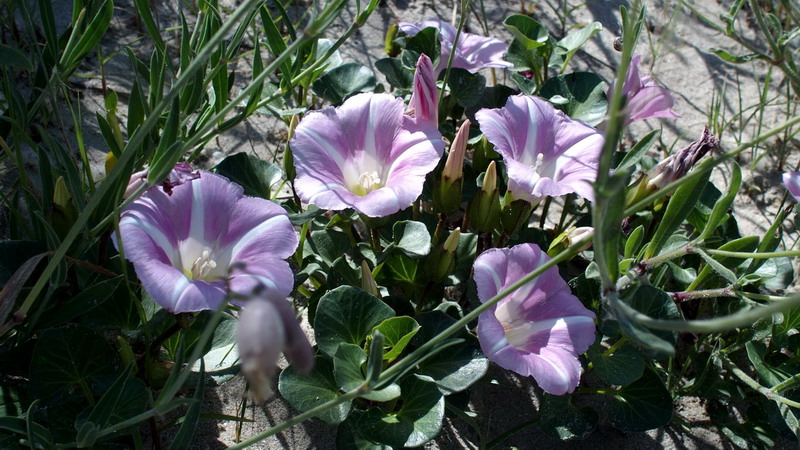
(642, 405)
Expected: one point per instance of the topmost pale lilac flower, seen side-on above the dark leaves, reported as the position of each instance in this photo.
(473, 52)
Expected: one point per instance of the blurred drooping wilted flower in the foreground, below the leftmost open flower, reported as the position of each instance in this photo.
(267, 327)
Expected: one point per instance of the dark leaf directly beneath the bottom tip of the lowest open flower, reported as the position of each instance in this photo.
(561, 418)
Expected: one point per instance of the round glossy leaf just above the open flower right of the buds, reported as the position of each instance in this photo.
(585, 95)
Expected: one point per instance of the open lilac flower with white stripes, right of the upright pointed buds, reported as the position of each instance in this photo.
(546, 152)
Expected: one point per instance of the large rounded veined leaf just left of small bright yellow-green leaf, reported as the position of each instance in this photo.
(347, 315)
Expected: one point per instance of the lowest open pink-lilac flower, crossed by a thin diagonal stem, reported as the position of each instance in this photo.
(541, 328)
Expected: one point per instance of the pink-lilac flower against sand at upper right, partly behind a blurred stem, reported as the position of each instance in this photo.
(644, 98)
